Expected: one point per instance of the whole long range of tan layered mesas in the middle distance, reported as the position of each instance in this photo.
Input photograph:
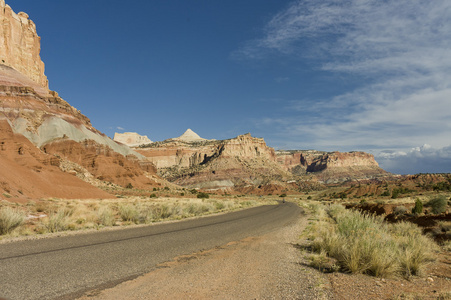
(246, 163)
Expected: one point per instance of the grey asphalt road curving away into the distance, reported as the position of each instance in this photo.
(65, 267)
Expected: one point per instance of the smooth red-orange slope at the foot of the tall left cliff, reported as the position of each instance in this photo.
(27, 173)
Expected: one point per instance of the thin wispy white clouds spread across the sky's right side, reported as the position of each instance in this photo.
(400, 50)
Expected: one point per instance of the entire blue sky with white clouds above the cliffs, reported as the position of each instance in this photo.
(328, 75)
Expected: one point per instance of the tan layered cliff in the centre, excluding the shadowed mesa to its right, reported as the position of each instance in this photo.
(232, 164)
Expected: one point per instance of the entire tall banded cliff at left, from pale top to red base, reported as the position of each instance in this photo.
(50, 131)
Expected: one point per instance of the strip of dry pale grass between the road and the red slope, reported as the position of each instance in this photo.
(56, 215)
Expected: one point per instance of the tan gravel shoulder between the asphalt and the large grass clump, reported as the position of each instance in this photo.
(264, 267)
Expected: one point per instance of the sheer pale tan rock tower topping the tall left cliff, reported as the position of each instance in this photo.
(20, 44)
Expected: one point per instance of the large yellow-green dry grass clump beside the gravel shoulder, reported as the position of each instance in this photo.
(365, 244)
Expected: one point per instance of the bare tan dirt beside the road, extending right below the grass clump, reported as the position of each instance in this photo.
(271, 267)
